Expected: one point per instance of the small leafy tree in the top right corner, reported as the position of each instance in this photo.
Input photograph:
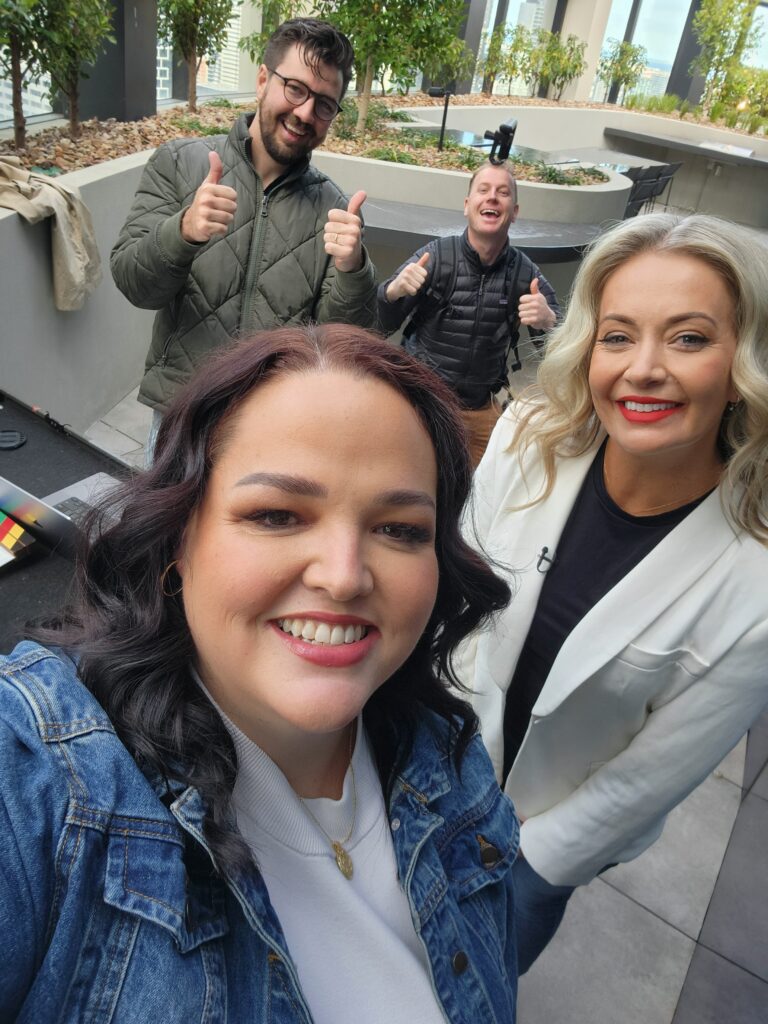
(726, 33)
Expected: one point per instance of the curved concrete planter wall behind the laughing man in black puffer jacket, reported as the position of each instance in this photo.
(446, 190)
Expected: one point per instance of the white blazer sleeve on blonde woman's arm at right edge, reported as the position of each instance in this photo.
(620, 810)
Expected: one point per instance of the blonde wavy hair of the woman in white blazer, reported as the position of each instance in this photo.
(557, 416)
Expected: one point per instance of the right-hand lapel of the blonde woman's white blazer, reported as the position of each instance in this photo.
(625, 613)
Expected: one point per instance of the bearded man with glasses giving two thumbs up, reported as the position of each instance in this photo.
(236, 233)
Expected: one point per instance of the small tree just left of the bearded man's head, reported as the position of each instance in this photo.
(196, 29)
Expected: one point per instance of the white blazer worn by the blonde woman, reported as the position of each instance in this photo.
(649, 693)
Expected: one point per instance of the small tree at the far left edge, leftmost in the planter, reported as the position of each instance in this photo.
(20, 31)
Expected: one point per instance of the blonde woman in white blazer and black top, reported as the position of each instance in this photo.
(628, 497)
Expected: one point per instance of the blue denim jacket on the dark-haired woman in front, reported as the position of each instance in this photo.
(111, 913)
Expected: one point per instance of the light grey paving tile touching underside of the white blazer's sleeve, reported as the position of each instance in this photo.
(676, 877)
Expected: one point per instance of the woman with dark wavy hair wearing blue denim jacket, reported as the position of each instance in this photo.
(238, 789)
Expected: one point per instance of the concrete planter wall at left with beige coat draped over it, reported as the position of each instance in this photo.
(79, 365)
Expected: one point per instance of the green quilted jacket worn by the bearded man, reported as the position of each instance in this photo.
(270, 269)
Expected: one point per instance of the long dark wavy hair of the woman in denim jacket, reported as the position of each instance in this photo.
(133, 643)
